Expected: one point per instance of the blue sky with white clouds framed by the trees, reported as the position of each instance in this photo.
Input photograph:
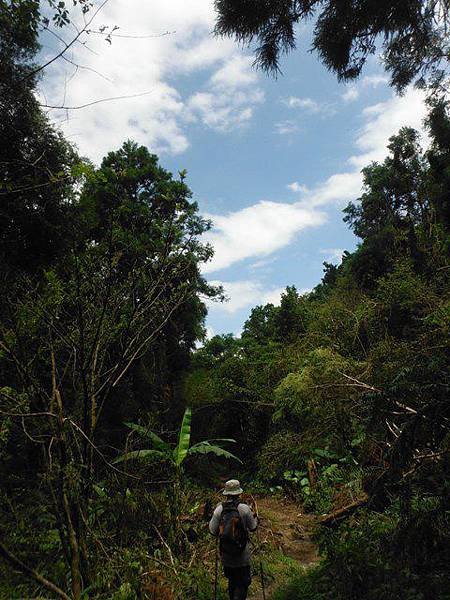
(271, 162)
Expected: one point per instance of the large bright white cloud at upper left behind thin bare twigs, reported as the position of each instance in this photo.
(225, 97)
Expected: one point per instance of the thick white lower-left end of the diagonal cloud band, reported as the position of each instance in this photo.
(257, 230)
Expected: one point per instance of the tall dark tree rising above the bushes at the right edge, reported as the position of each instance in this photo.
(398, 214)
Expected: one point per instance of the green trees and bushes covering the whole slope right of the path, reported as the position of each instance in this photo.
(354, 379)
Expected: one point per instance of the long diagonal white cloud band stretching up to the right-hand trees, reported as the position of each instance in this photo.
(265, 227)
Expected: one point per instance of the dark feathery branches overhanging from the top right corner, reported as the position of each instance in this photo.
(412, 34)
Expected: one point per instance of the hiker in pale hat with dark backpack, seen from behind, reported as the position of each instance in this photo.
(231, 522)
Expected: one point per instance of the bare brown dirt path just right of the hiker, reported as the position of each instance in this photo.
(286, 528)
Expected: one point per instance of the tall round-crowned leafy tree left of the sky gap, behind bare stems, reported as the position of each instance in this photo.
(69, 342)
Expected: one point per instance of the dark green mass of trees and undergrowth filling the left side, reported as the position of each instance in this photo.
(103, 282)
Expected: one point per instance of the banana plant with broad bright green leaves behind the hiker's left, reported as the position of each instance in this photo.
(162, 451)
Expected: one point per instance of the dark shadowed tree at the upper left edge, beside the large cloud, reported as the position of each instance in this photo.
(35, 161)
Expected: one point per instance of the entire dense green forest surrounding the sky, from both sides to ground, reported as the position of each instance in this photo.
(119, 420)
